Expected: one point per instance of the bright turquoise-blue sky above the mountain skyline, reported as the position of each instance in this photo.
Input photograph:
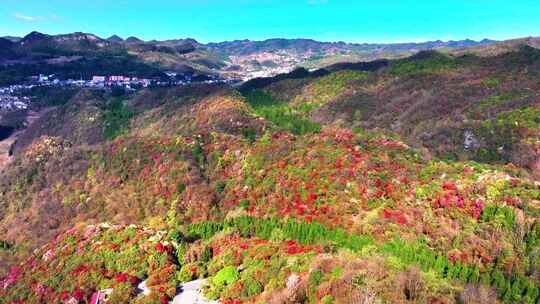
(327, 20)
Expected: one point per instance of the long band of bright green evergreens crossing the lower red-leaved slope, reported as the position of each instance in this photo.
(512, 289)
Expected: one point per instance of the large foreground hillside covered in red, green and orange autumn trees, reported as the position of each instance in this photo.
(413, 181)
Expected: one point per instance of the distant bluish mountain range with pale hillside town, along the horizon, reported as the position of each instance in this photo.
(86, 54)
